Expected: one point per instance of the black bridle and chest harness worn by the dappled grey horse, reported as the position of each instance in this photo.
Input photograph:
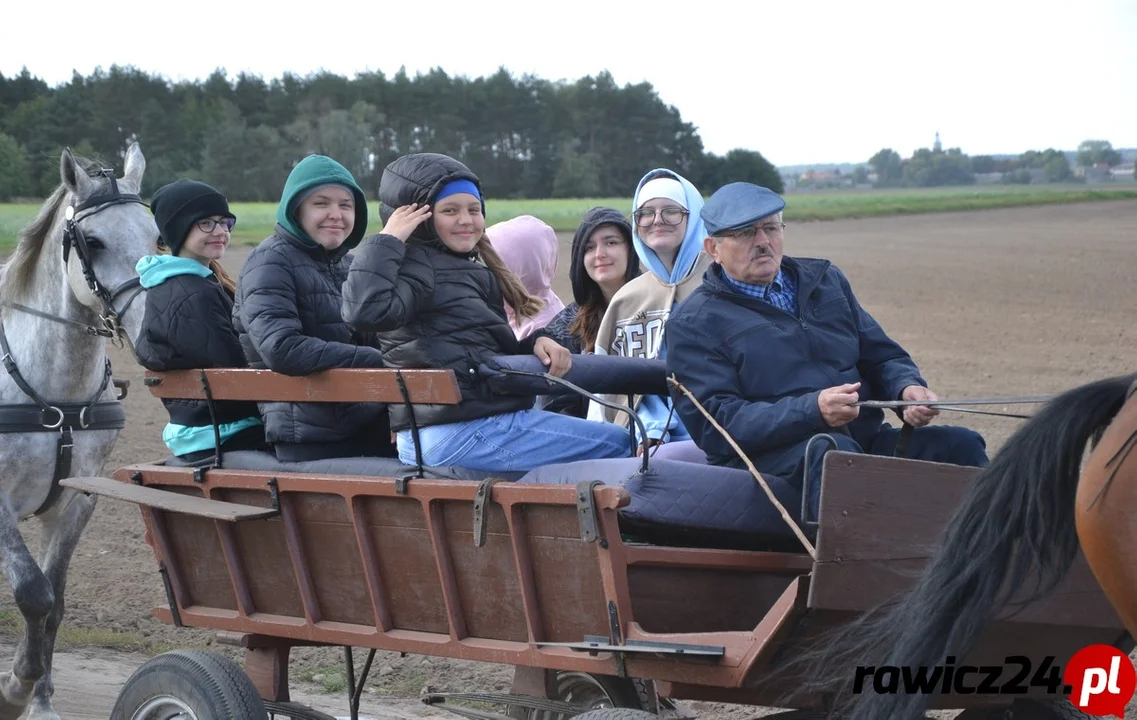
(45, 417)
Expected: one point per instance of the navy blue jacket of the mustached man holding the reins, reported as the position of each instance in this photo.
(759, 370)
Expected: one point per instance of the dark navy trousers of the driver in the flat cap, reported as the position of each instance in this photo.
(939, 444)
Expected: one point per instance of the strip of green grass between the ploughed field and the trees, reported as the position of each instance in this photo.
(256, 220)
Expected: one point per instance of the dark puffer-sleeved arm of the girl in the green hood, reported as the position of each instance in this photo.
(271, 318)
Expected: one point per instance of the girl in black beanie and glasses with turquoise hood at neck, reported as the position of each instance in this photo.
(187, 322)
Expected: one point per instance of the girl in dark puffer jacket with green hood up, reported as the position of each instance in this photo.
(288, 315)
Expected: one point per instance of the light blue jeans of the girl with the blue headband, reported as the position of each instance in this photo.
(516, 442)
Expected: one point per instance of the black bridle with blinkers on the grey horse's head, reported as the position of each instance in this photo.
(74, 238)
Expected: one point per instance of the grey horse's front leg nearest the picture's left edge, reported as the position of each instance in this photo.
(36, 601)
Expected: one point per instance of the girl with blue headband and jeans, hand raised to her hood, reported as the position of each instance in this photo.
(434, 291)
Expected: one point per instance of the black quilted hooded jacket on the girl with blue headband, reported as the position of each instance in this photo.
(431, 308)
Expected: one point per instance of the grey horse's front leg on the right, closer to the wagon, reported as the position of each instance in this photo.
(63, 527)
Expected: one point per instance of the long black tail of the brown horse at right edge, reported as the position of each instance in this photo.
(1016, 520)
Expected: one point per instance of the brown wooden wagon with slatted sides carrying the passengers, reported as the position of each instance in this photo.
(593, 610)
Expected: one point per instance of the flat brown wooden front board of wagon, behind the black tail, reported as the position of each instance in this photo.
(883, 518)
